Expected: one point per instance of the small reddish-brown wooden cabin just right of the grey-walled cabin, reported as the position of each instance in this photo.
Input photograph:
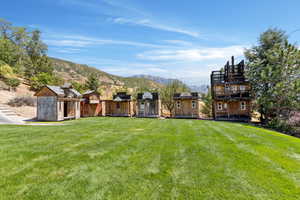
(92, 106)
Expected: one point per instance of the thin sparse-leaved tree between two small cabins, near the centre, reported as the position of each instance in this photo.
(167, 94)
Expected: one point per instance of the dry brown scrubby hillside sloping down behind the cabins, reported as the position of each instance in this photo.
(80, 73)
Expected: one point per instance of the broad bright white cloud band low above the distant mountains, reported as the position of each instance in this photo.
(194, 54)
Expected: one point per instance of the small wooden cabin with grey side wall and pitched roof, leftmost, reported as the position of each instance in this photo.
(56, 103)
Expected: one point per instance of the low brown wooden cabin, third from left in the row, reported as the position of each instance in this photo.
(122, 105)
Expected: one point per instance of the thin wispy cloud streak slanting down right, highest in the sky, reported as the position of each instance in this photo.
(155, 25)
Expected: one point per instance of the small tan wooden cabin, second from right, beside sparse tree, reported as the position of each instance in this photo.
(187, 105)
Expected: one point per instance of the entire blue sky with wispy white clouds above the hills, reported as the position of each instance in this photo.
(183, 39)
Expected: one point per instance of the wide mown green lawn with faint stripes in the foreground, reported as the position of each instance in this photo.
(124, 158)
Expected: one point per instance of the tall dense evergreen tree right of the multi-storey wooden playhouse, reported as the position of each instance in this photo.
(273, 68)
